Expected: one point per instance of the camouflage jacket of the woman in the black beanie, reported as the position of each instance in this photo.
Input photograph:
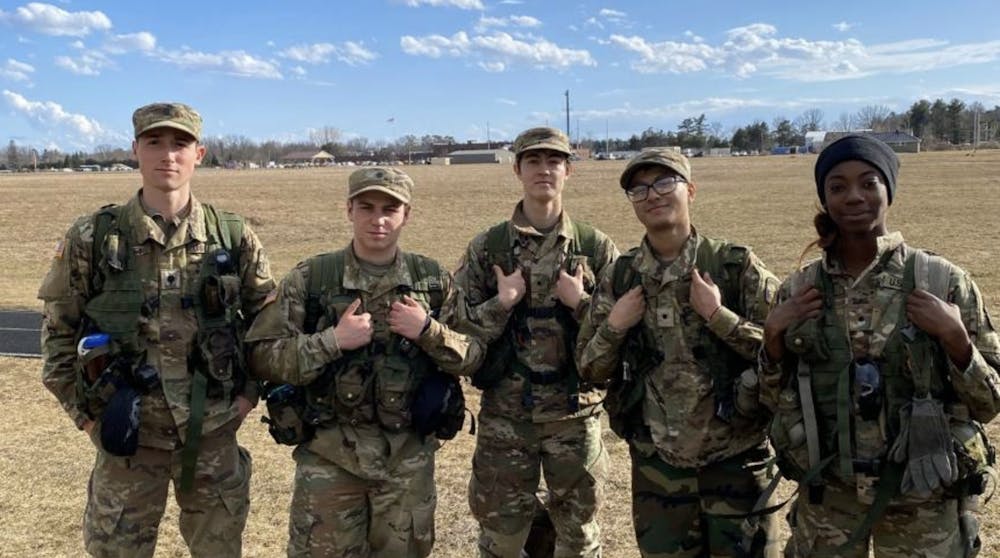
(857, 304)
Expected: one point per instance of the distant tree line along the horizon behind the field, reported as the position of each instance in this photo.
(940, 124)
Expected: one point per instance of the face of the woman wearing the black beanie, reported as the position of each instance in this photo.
(856, 198)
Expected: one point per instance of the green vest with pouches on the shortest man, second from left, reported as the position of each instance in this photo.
(435, 405)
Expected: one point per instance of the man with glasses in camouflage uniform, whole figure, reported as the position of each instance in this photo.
(697, 438)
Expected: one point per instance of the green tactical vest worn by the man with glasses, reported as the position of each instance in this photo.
(640, 353)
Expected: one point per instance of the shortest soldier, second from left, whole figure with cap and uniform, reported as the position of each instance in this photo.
(364, 483)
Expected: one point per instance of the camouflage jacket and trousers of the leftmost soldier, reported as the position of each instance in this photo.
(137, 486)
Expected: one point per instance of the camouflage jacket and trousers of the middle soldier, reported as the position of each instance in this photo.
(532, 438)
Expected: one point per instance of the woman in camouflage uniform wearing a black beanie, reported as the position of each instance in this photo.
(878, 368)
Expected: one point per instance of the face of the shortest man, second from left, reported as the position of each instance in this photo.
(378, 219)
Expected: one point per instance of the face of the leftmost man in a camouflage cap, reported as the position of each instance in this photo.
(167, 158)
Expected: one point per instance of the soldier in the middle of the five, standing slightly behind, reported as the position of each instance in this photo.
(527, 282)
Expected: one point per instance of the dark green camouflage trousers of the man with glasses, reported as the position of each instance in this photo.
(683, 512)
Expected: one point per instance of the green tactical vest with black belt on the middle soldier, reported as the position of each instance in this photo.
(501, 356)
